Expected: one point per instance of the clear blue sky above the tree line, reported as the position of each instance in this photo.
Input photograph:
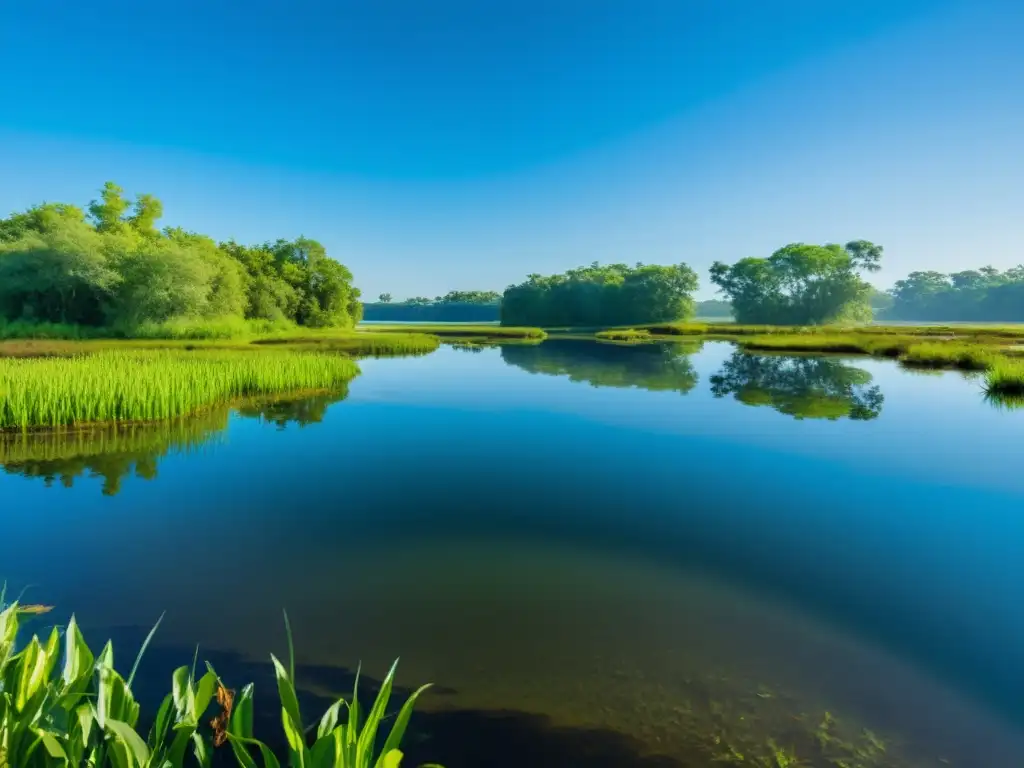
(439, 145)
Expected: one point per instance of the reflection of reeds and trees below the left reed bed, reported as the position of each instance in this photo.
(115, 452)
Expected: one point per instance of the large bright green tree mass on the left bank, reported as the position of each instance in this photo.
(112, 268)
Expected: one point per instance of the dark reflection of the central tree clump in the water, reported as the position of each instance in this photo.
(654, 367)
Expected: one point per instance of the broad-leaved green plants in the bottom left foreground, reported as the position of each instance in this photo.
(81, 713)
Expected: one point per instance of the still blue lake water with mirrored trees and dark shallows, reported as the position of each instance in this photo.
(602, 556)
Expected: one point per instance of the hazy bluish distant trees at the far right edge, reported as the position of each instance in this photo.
(985, 294)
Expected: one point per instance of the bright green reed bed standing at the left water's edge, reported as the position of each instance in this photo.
(119, 387)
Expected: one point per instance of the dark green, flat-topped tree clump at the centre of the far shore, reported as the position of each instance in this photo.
(596, 295)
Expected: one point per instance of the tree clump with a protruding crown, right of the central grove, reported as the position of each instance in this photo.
(801, 285)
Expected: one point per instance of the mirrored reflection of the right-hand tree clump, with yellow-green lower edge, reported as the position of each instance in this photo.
(801, 388)
